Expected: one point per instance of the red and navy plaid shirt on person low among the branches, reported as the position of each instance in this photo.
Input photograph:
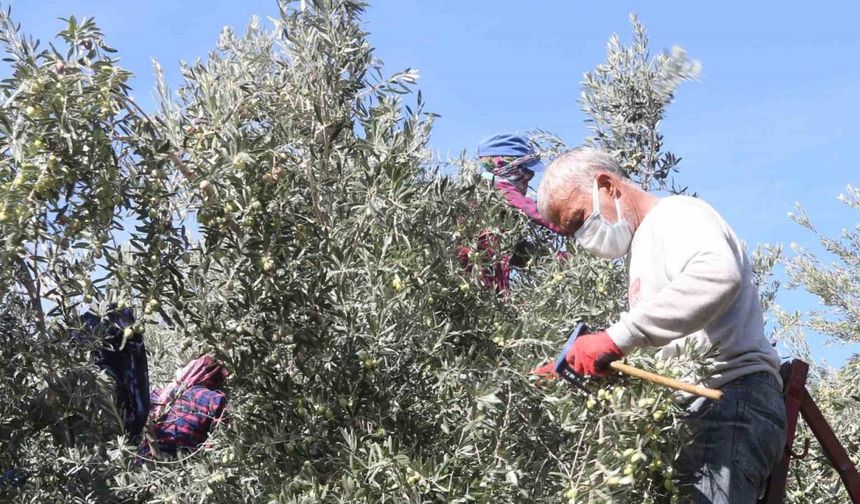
(189, 419)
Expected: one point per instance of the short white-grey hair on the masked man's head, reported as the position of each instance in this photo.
(574, 169)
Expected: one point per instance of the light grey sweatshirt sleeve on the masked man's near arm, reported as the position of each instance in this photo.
(705, 272)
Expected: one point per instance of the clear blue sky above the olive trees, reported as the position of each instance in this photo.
(774, 119)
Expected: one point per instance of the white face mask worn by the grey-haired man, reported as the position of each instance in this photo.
(609, 241)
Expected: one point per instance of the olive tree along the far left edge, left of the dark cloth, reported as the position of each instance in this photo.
(69, 176)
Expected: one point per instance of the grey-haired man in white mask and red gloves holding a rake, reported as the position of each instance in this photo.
(690, 282)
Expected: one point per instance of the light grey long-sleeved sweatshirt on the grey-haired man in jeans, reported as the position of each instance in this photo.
(691, 280)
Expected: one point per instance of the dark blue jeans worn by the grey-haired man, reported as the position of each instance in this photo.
(736, 441)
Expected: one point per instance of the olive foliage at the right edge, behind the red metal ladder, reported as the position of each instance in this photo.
(837, 392)
